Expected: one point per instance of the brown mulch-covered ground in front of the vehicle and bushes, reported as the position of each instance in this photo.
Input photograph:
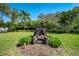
(40, 50)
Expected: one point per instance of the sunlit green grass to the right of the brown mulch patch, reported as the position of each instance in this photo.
(70, 43)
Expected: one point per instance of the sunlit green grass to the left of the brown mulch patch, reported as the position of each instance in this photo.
(8, 42)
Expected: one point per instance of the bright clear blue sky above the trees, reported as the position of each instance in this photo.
(36, 8)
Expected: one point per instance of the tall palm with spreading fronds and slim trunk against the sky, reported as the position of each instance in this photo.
(25, 17)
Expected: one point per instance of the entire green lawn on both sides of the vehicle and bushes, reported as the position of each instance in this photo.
(8, 42)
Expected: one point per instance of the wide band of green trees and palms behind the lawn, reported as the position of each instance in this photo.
(65, 21)
